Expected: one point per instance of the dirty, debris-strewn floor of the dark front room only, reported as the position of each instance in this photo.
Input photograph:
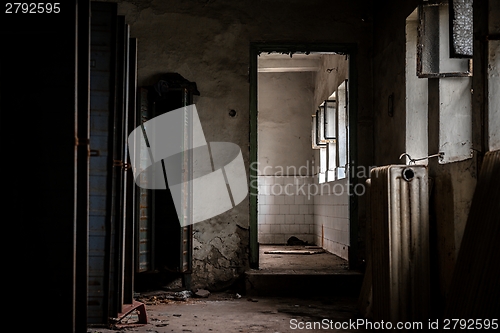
(231, 312)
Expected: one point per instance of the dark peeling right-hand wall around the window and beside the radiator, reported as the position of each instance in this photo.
(451, 185)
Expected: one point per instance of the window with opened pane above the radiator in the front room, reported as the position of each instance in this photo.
(443, 58)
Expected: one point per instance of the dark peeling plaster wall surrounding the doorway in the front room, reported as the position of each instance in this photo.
(208, 42)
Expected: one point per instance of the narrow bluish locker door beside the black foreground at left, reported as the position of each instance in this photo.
(102, 86)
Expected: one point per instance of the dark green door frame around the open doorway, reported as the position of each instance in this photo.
(350, 50)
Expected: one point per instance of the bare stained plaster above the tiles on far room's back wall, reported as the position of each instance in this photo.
(284, 117)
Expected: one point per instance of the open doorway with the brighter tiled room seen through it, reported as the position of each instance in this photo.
(300, 187)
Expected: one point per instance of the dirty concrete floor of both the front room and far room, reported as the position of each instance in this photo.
(229, 311)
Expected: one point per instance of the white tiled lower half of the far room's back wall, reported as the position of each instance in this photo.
(285, 209)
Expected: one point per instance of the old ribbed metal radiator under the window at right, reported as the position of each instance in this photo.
(399, 209)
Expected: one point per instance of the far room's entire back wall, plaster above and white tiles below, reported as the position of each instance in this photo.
(284, 156)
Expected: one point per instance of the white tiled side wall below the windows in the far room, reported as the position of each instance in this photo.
(331, 217)
